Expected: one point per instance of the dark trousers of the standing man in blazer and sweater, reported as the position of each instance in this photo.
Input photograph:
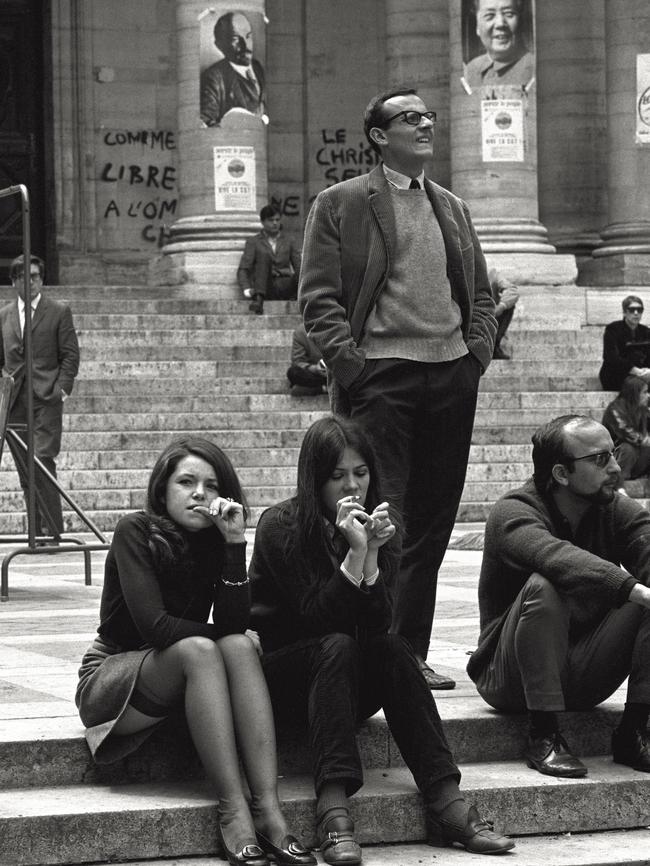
(420, 418)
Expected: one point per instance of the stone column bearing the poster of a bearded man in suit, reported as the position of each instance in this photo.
(205, 244)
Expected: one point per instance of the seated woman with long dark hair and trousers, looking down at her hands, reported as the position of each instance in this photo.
(320, 571)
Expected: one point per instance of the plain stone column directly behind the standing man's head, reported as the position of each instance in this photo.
(417, 53)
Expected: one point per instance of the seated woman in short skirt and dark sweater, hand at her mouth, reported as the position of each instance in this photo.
(155, 650)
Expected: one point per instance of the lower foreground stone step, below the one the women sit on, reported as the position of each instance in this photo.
(145, 820)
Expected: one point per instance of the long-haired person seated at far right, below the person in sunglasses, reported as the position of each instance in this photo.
(626, 418)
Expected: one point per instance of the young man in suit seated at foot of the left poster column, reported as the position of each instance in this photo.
(270, 264)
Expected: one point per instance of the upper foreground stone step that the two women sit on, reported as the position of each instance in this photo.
(53, 752)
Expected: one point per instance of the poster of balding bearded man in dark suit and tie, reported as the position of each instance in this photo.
(231, 60)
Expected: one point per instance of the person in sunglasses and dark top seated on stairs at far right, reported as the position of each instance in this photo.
(626, 347)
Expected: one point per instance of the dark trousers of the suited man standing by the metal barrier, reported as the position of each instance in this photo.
(48, 421)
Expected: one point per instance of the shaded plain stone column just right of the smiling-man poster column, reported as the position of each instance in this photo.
(572, 122)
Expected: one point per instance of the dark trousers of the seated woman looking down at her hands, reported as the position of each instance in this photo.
(332, 683)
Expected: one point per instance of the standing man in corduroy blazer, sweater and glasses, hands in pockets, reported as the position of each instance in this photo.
(395, 293)
